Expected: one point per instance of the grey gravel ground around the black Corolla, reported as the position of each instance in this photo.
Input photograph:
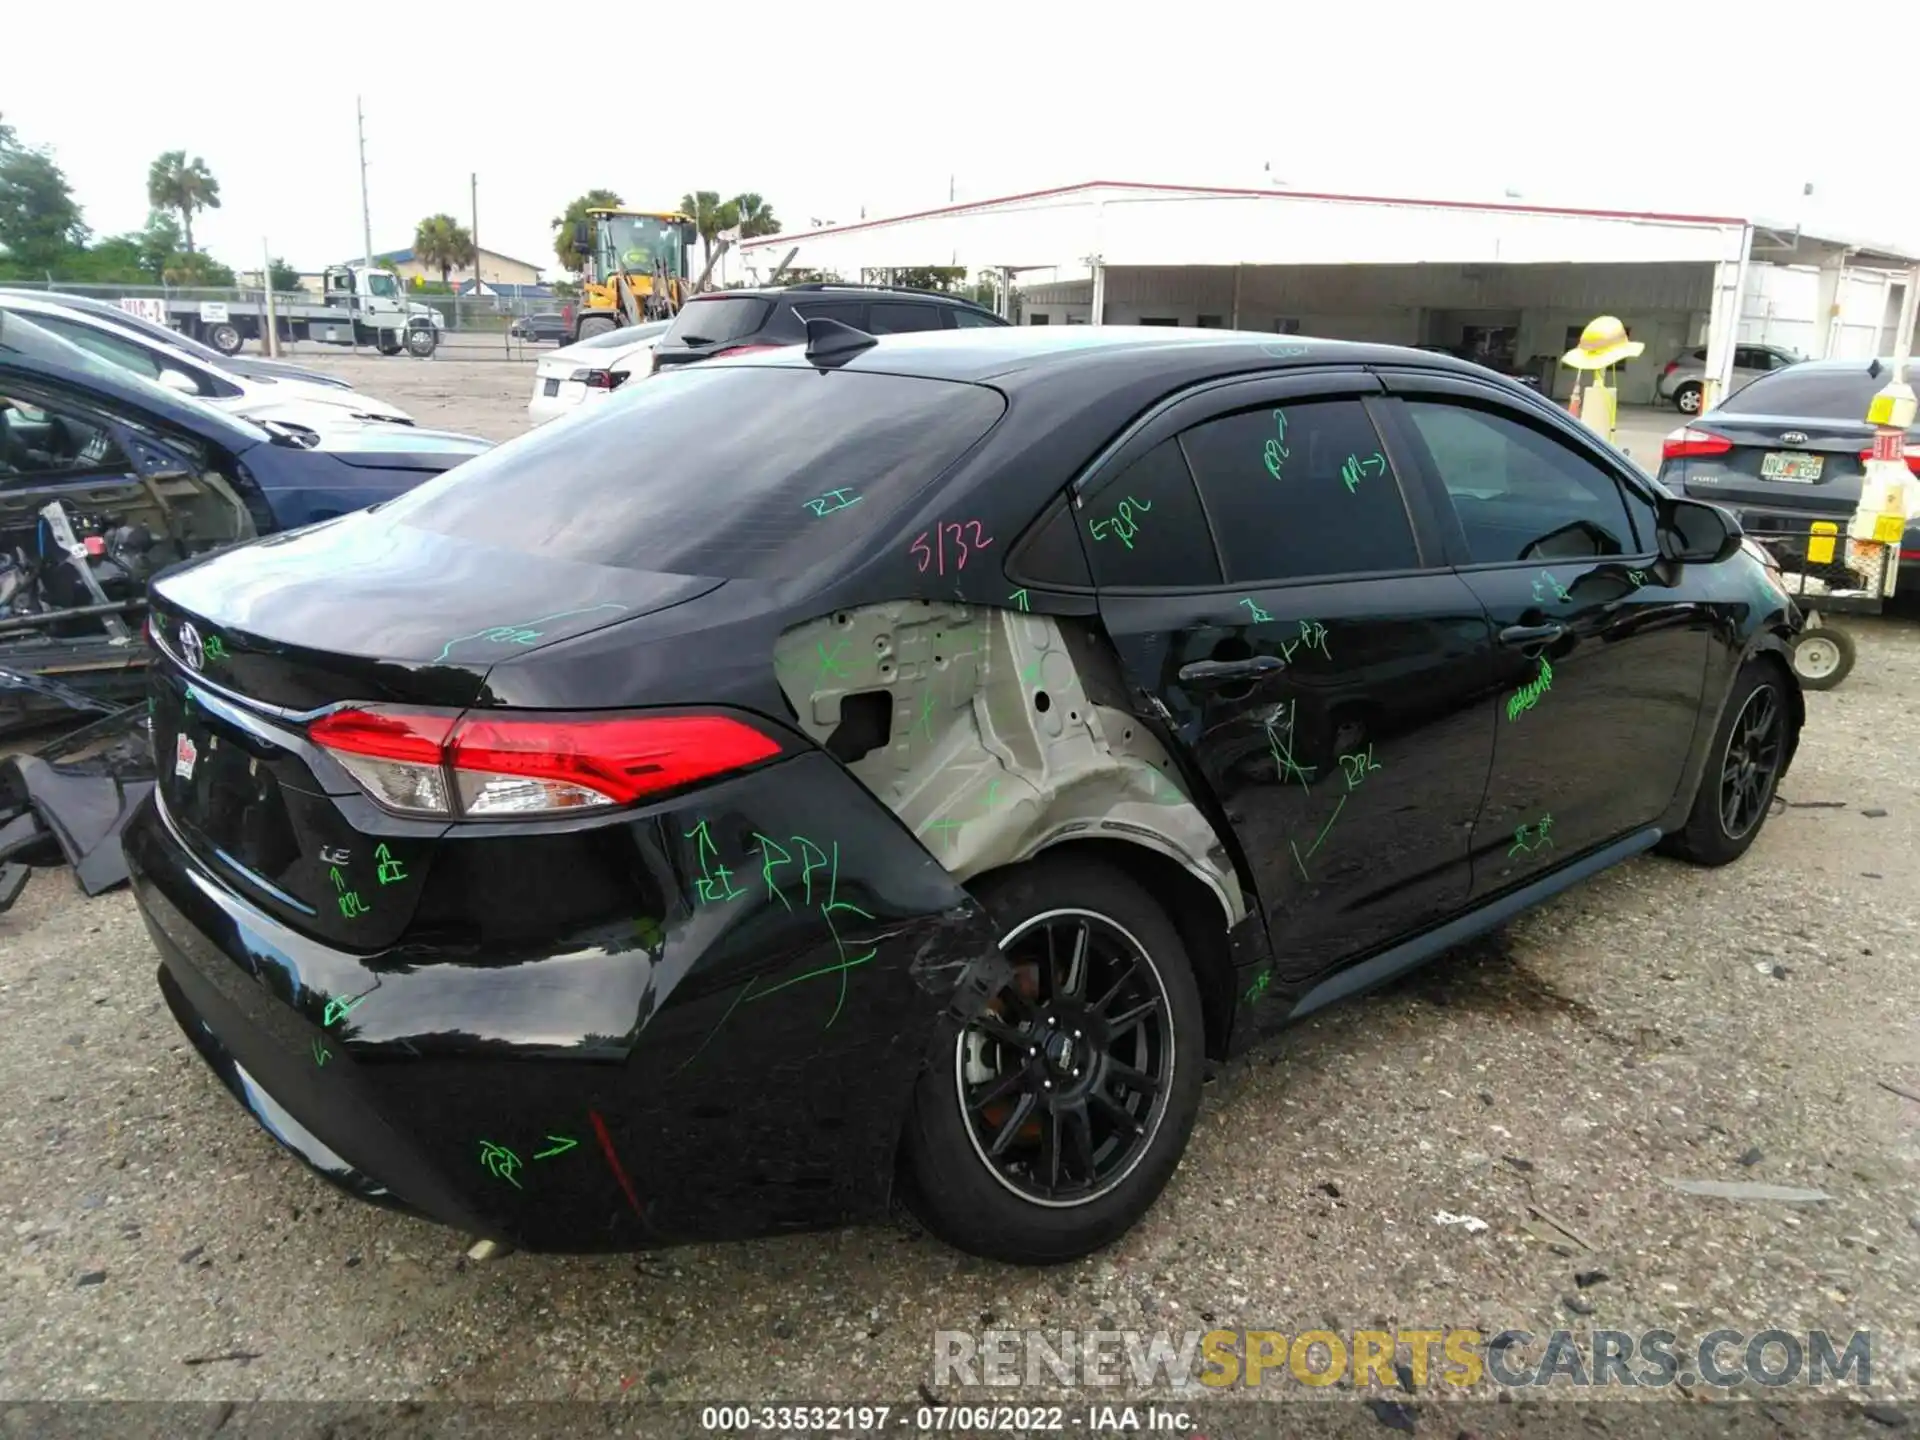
(1750, 1024)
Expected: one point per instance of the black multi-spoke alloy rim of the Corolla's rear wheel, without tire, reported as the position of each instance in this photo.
(1063, 1080)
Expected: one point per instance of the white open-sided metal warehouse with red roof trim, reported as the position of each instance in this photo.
(1510, 285)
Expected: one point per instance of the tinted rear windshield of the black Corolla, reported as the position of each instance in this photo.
(713, 469)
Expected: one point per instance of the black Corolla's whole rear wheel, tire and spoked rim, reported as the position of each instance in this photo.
(1047, 1128)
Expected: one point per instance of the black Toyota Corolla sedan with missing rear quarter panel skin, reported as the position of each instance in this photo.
(907, 765)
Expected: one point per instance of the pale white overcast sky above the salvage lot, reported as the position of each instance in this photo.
(1431, 101)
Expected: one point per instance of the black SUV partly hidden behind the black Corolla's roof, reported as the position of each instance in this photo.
(744, 322)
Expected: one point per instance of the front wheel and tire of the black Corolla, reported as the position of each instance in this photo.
(1737, 790)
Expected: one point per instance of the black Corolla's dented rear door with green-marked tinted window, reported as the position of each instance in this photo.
(1278, 596)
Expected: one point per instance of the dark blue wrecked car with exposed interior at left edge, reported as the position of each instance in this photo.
(107, 479)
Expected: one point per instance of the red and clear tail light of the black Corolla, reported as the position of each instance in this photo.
(531, 763)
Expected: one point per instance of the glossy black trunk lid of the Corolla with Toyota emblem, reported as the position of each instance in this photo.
(251, 646)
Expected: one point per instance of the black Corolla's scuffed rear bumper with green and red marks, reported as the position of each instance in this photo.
(612, 1090)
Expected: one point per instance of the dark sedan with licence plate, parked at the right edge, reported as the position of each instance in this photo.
(1788, 450)
